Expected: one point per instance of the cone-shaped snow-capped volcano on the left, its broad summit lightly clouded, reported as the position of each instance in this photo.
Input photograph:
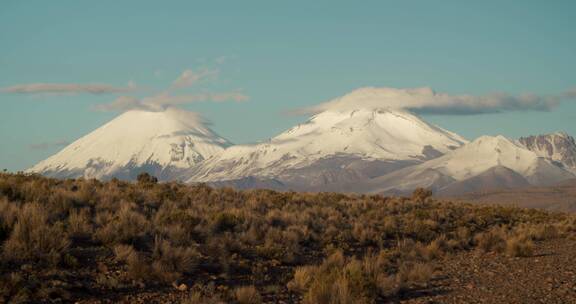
(161, 143)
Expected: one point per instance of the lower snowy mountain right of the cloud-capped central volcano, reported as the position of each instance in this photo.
(471, 161)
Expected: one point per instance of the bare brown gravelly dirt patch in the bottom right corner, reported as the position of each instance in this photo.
(473, 277)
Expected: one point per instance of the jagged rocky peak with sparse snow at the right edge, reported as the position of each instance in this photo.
(559, 147)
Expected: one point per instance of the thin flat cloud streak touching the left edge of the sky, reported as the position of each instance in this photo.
(67, 88)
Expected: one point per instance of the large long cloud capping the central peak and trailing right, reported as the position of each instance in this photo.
(426, 100)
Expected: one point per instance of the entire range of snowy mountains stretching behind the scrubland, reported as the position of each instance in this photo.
(351, 149)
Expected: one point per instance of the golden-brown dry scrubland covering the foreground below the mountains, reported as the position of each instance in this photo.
(80, 239)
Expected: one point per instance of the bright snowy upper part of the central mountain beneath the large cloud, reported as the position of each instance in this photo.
(372, 133)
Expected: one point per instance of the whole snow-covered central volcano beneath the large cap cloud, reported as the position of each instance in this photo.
(331, 145)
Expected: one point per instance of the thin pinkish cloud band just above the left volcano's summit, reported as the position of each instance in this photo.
(163, 101)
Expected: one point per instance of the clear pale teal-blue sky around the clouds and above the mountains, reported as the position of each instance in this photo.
(283, 55)
